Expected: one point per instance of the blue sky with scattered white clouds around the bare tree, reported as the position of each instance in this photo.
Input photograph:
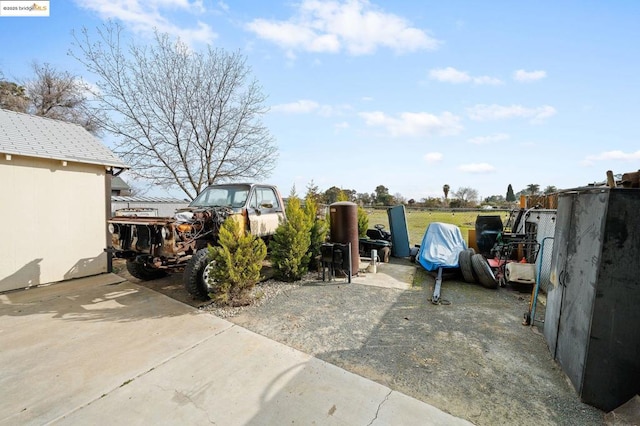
(407, 94)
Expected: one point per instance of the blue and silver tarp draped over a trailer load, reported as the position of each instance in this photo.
(441, 245)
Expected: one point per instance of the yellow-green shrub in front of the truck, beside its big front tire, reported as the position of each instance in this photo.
(238, 262)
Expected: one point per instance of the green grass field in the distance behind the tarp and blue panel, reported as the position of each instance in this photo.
(419, 220)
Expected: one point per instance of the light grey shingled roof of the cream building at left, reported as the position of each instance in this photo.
(33, 136)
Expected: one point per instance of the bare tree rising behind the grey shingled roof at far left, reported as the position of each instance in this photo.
(59, 95)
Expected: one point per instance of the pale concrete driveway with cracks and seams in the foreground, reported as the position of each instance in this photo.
(102, 350)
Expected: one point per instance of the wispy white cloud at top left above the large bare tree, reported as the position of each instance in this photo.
(144, 16)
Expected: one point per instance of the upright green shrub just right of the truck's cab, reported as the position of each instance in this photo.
(290, 243)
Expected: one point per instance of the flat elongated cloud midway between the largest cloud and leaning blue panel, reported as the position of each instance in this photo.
(414, 123)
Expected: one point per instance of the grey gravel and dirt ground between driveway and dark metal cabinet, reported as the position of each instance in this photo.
(472, 357)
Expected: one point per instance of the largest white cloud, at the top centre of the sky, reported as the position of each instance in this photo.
(354, 26)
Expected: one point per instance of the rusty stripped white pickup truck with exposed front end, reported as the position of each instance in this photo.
(155, 246)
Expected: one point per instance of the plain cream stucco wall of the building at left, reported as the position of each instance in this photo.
(52, 219)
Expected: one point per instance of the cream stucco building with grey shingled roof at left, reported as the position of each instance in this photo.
(55, 196)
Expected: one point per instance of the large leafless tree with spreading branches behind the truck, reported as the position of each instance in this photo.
(181, 118)
